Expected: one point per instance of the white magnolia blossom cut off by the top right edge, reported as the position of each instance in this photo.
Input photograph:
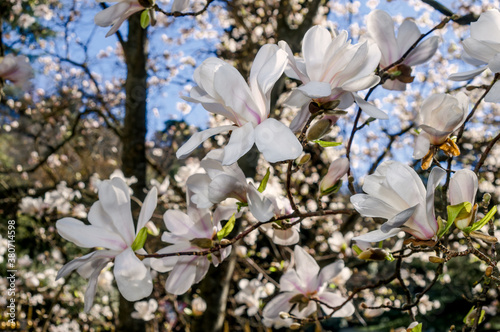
(482, 48)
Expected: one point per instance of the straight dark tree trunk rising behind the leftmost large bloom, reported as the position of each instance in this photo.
(134, 136)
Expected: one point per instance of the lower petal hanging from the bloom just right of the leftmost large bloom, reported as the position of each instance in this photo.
(182, 277)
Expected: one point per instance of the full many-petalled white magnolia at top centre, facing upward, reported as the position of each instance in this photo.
(331, 69)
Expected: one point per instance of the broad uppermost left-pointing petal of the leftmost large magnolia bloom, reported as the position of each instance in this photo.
(88, 236)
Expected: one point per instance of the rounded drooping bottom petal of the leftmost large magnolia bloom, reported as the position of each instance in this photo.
(132, 277)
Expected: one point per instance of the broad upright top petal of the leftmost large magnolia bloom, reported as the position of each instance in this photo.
(115, 199)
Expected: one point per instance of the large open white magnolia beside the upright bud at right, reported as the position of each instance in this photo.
(395, 192)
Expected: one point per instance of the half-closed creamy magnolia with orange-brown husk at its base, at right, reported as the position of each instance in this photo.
(439, 116)
